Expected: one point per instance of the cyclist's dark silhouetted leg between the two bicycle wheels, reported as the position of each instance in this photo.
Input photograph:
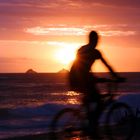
(93, 107)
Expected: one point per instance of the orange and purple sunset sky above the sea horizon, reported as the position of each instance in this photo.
(45, 34)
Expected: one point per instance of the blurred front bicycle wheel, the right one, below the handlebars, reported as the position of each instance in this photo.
(120, 122)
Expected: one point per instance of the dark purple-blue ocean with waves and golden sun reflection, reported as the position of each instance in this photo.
(28, 102)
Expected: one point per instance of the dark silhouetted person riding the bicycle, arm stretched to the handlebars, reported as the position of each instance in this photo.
(81, 78)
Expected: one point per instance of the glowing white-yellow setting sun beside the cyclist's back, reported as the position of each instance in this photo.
(65, 55)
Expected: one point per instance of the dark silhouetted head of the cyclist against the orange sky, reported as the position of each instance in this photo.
(93, 38)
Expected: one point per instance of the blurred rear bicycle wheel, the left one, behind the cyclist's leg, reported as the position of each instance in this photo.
(66, 125)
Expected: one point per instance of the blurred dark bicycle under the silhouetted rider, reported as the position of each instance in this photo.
(116, 121)
